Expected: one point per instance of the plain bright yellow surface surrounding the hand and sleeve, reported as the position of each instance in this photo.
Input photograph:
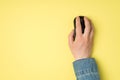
(34, 38)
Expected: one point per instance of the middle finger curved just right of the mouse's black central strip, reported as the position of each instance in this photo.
(88, 27)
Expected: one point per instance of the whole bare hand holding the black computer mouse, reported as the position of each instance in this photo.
(81, 47)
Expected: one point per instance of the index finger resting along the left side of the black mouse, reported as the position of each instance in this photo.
(78, 27)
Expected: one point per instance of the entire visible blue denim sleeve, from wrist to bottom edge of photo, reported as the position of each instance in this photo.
(86, 69)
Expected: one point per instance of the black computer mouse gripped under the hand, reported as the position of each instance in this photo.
(82, 22)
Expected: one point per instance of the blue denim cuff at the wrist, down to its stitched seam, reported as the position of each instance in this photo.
(85, 66)
